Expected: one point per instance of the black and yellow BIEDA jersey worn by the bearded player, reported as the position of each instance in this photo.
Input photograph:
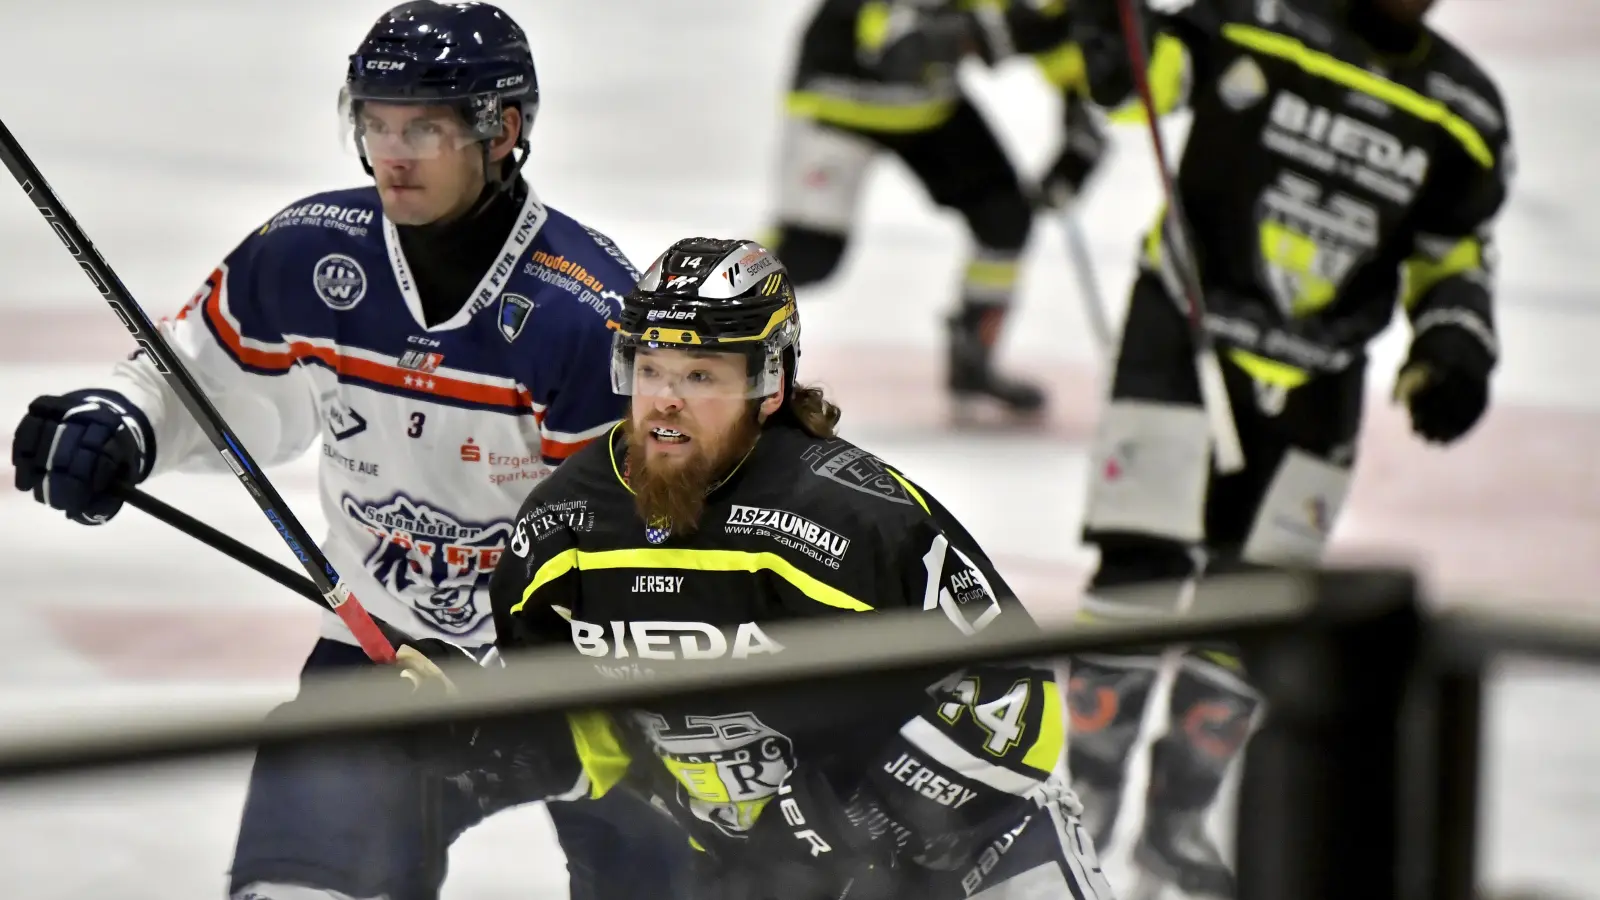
(802, 529)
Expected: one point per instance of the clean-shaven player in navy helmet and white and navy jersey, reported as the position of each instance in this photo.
(442, 337)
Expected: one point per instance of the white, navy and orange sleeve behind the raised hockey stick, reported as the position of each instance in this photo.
(231, 340)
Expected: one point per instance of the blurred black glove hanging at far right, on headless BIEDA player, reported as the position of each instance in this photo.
(1446, 382)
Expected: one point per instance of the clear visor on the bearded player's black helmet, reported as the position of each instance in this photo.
(687, 374)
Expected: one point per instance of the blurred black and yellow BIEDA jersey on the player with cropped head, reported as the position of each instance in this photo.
(1321, 177)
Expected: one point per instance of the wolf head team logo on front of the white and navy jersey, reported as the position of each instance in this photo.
(436, 563)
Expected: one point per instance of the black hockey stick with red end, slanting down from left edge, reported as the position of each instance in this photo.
(335, 595)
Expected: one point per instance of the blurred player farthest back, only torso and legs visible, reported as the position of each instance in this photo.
(879, 76)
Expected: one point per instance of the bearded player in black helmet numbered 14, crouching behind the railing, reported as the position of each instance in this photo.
(727, 504)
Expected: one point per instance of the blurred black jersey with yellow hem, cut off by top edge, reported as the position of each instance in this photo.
(874, 65)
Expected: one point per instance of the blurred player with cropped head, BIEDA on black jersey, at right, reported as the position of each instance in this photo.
(1345, 159)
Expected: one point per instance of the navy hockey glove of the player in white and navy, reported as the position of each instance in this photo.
(71, 451)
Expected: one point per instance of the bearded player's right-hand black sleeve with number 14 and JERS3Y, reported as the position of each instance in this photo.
(986, 737)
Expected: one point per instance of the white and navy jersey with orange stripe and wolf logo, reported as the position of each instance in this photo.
(313, 331)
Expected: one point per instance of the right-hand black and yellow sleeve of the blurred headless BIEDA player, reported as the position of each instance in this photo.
(1449, 281)
